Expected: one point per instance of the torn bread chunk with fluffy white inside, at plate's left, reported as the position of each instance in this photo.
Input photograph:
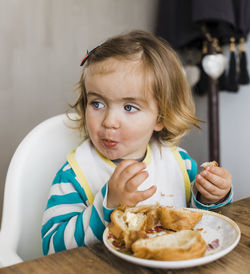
(131, 223)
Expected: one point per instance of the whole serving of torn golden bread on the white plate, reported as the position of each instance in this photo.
(146, 232)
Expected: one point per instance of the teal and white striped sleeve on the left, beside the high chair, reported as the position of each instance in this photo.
(68, 220)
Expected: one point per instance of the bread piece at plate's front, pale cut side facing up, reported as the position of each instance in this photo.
(182, 245)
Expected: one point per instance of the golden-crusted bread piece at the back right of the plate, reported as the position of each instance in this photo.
(177, 219)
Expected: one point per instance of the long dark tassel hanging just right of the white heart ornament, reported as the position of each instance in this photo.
(232, 84)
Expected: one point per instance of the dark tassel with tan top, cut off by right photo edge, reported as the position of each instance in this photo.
(243, 78)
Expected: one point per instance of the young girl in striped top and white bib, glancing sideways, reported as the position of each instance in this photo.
(134, 106)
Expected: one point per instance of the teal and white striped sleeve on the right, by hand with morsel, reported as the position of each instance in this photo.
(191, 167)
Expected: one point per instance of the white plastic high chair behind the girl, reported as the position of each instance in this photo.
(31, 171)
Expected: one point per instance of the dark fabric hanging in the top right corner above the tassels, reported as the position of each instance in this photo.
(180, 21)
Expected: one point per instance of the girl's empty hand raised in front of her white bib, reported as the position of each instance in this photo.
(123, 184)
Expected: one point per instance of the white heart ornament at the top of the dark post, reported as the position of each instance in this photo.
(214, 65)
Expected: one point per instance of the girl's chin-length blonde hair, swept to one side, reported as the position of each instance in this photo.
(168, 82)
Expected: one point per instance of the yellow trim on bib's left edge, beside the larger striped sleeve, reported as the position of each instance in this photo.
(82, 179)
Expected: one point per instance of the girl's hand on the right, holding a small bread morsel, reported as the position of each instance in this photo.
(213, 183)
